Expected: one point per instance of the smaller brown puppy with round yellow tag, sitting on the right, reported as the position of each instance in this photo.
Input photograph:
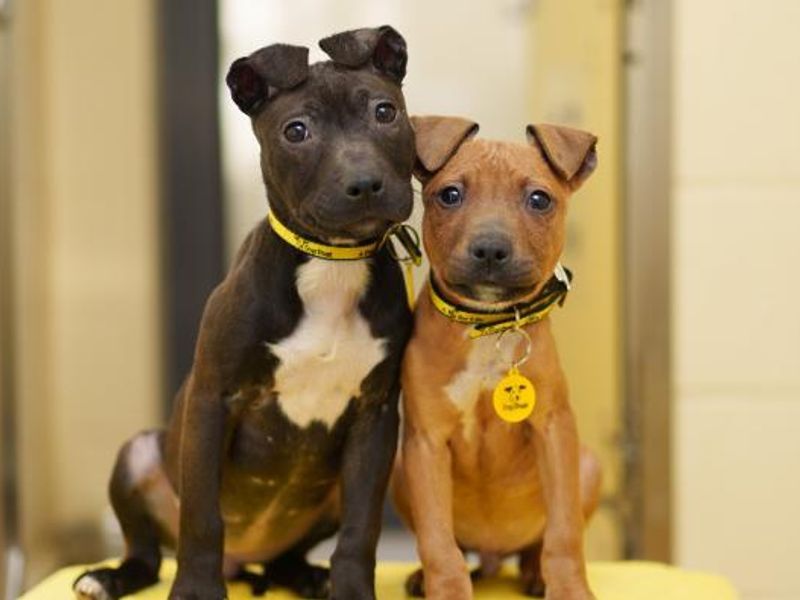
(466, 479)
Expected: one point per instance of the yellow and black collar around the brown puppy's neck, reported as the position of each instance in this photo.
(488, 322)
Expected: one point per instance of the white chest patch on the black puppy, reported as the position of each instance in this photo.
(324, 361)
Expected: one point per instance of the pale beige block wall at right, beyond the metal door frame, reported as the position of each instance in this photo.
(736, 319)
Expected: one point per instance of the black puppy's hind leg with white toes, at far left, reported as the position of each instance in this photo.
(146, 508)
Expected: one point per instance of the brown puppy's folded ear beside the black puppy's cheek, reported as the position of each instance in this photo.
(437, 140)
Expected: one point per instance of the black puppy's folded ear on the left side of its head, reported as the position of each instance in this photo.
(254, 79)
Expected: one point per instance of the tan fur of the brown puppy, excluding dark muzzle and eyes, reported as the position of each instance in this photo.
(465, 478)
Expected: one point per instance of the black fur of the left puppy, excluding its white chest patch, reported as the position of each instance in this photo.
(228, 434)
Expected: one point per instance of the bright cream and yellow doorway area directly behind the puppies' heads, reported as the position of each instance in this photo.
(504, 64)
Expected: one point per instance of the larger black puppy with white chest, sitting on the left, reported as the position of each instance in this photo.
(285, 429)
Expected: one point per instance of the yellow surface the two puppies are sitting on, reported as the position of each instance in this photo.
(610, 581)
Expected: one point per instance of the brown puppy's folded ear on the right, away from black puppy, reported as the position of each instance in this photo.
(571, 153)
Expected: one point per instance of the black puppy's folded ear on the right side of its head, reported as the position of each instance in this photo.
(383, 46)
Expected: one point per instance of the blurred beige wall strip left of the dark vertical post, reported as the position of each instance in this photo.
(85, 198)
